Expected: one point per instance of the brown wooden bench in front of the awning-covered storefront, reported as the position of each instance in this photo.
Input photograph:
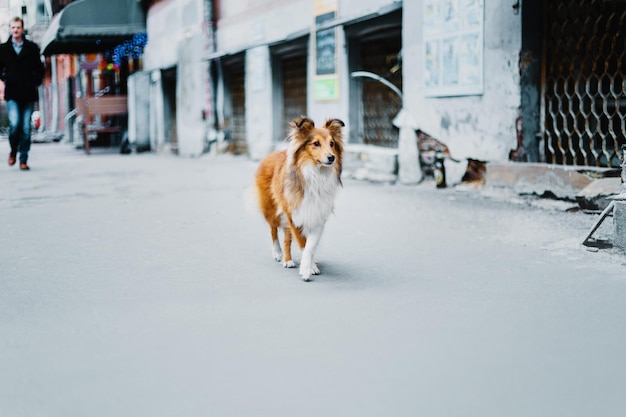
(103, 106)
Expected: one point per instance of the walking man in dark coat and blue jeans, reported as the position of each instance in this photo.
(22, 71)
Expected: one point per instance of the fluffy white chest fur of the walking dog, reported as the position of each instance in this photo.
(319, 198)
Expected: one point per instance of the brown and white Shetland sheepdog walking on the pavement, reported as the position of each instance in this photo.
(297, 188)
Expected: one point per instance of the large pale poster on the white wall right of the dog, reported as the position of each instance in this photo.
(453, 47)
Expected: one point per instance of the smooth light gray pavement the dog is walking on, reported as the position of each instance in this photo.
(143, 285)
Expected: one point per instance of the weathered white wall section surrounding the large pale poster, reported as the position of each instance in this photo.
(480, 127)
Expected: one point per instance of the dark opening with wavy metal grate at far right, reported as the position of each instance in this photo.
(585, 94)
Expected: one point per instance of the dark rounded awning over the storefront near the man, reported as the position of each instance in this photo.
(89, 26)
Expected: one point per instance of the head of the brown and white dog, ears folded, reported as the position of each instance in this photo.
(323, 145)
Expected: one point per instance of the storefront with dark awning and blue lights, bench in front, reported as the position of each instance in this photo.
(92, 47)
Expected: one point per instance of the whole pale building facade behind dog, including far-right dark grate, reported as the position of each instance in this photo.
(486, 80)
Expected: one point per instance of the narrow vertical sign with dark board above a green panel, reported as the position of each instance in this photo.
(326, 79)
